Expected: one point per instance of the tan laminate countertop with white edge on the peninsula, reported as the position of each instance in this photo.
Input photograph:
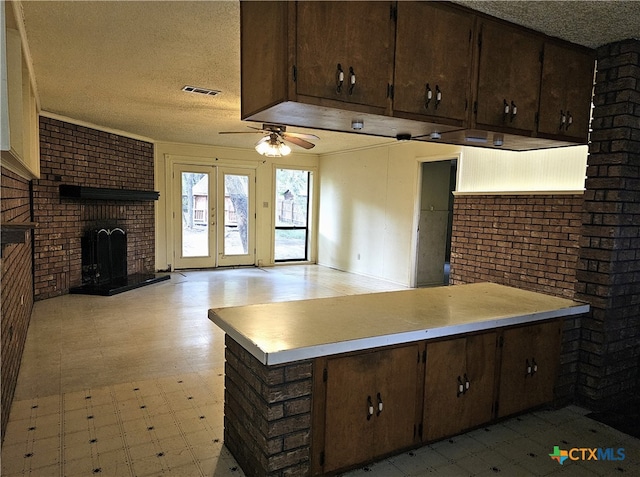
(284, 332)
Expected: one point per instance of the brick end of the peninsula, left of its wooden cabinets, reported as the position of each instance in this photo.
(267, 414)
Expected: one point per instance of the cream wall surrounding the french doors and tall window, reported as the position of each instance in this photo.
(168, 154)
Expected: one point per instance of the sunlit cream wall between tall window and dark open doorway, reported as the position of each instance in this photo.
(368, 208)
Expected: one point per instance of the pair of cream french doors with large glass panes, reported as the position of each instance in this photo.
(214, 216)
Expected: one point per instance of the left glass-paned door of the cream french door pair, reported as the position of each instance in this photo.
(194, 216)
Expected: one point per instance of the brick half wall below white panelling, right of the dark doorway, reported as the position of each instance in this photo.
(524, 241)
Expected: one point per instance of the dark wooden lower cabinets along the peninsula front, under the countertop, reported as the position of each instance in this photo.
(374, 403)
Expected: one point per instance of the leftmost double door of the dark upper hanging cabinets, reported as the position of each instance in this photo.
(358, 36)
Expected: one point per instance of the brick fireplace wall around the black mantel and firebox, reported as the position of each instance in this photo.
(77, 155)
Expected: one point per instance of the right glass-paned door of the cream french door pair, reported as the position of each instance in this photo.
(236, 216)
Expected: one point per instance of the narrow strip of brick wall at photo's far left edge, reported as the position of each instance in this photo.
(17, 287)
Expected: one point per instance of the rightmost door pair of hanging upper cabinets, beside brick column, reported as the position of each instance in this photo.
(565, 94)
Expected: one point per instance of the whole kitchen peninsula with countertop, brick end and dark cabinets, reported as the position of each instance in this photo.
(318, 386)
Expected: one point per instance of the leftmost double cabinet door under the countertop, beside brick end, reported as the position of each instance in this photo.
(370, 405)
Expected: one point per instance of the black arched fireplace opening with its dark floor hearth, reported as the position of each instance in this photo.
(104, 264)
